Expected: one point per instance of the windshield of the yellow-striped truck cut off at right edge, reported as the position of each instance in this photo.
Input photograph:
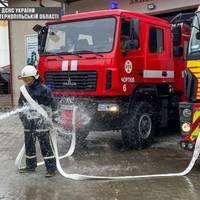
(194, 45)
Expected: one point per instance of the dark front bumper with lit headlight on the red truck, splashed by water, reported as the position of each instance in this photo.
(104, 113)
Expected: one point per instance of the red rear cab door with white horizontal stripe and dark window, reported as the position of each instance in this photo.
(159, 66)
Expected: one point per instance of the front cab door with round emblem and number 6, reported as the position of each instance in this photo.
(131, 56)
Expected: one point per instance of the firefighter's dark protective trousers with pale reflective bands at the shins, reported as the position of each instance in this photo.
(45, 146)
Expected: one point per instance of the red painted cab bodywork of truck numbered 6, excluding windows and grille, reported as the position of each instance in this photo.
(114, 61)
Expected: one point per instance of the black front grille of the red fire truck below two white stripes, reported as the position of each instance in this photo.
(71, 80)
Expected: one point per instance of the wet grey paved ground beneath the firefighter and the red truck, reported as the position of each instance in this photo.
(103, 154)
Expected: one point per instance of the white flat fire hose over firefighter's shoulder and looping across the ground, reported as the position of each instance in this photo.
(37, 107)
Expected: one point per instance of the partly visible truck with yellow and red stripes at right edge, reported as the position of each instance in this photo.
(190, 110)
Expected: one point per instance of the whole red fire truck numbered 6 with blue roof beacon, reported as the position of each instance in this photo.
(121, 68)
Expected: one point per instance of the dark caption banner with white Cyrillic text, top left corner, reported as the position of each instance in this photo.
(30, 13)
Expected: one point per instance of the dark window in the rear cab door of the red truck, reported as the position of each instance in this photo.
(156, 44)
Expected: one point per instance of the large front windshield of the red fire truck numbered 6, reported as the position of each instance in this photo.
(86, 36)
